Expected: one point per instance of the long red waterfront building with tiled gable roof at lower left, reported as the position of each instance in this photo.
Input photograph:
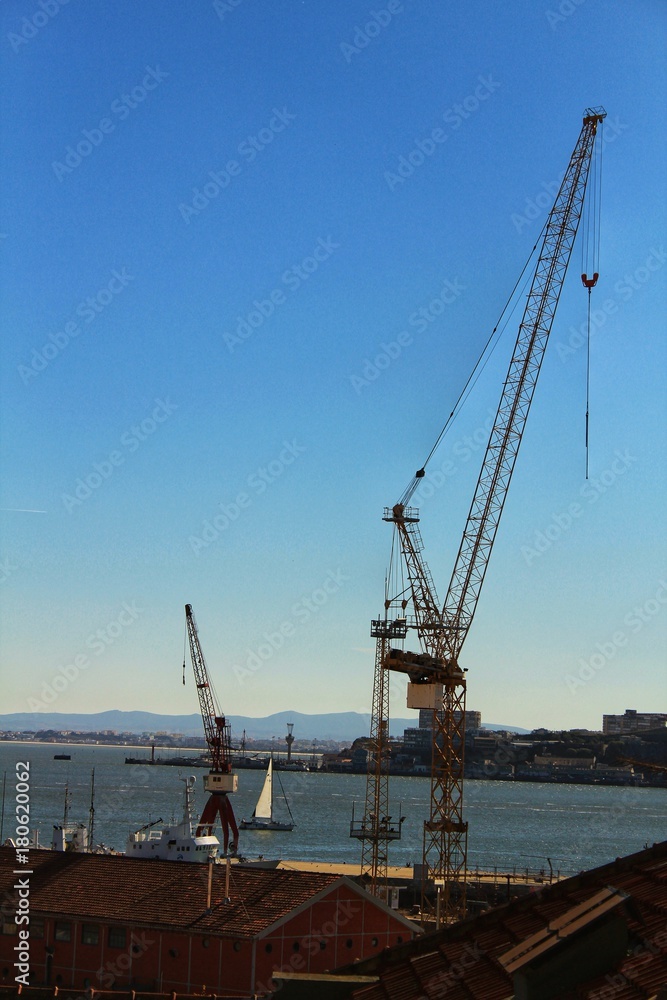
(113, 923)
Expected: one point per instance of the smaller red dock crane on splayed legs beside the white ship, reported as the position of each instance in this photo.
(220, 782)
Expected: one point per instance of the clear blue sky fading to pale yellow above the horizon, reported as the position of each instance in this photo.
(205, 245)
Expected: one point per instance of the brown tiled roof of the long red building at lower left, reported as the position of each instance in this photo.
(160, 893)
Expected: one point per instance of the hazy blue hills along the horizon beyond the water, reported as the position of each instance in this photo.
(340, 726)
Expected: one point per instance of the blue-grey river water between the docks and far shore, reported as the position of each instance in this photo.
(522, 824)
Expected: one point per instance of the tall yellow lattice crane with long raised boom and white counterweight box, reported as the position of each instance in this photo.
(436, 682)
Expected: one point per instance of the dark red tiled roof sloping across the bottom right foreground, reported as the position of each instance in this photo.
(463, 961)
